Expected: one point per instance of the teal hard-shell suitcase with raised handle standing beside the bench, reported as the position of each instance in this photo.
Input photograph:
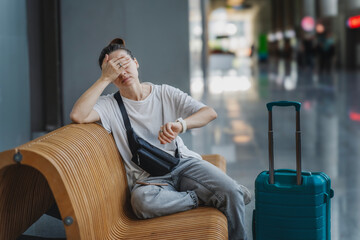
(289, 204)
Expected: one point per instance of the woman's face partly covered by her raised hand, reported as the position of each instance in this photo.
(129, 73)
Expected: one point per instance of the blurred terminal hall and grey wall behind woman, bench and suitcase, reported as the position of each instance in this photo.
(234, 55)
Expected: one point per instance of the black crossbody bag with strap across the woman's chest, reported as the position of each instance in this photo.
(150, 158)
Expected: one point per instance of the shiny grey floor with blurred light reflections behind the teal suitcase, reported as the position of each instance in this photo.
(330, 122)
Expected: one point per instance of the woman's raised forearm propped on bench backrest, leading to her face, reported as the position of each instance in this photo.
(84, 105)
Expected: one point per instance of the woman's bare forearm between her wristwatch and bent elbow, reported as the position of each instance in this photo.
(201, 118)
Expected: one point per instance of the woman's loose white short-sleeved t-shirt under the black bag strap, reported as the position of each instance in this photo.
(164, 104)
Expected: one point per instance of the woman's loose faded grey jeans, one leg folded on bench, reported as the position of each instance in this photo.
(192, 180)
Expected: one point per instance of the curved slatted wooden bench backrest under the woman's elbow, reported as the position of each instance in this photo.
(85, 173)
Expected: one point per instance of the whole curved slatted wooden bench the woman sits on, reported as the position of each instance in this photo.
(80, 168)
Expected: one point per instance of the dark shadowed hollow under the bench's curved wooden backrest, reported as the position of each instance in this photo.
(25, 195)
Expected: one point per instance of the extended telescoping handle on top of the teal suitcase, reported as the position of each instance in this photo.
(297, 106)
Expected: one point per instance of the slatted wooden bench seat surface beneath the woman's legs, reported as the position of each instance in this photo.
(201, 223)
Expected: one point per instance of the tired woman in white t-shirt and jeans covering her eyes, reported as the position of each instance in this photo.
(158, 114)
